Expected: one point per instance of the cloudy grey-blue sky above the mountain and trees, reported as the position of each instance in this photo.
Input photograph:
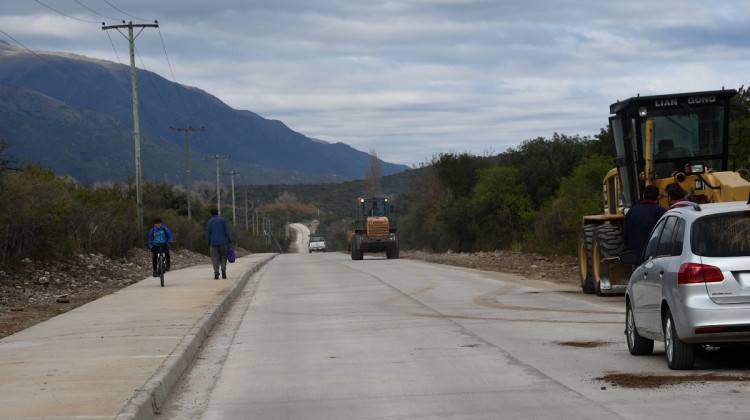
(411, 79)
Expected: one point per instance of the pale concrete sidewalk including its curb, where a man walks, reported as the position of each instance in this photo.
(118, 356)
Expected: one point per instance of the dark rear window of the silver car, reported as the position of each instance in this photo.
(725, 235)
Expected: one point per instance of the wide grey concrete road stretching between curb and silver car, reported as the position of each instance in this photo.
(319, 336)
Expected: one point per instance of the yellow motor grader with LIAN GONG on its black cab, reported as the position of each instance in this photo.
(659, 140)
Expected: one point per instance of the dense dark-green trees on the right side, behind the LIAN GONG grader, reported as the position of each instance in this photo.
(531, 198)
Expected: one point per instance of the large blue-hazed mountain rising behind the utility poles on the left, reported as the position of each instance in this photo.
(74, 114)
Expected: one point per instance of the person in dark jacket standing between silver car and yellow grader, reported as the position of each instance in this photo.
(641, 219)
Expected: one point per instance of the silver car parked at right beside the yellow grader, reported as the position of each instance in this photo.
(691, 286)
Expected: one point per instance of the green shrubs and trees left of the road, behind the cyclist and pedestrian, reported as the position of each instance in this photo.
(44, 216)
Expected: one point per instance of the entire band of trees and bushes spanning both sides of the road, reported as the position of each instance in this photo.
(530, 198)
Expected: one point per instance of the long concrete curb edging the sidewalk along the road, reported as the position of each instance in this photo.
(147, 400)
